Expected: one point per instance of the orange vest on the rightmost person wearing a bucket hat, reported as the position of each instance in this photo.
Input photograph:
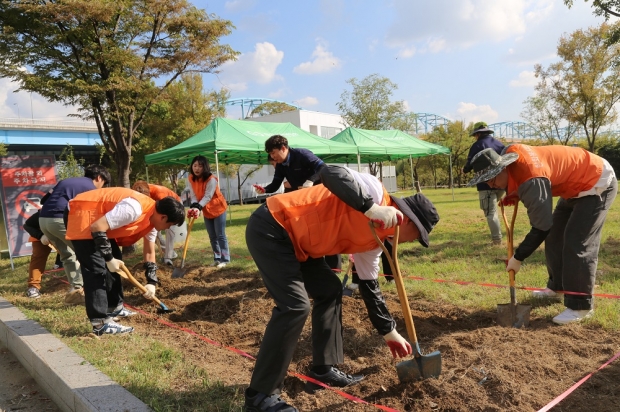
(570, 170)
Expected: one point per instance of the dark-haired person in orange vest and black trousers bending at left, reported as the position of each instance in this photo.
(98, 222)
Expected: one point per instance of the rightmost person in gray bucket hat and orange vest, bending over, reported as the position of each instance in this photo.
(586, 185)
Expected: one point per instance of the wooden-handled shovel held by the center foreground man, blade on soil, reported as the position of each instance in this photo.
(421, 366)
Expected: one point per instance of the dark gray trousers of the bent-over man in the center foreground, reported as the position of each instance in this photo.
(291, 284)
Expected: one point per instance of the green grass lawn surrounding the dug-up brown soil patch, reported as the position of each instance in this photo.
(460, 250)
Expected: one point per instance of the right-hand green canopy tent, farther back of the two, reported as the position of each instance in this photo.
(381, 145)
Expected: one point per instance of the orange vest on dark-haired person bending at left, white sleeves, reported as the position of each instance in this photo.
(87, 207)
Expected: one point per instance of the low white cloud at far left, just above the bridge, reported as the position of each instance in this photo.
(26, 106)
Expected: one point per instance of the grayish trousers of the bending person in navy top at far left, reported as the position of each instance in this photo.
(55, 230)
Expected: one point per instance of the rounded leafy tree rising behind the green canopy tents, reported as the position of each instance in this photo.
(368, 106)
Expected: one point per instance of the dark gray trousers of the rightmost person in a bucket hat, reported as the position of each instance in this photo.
(571, 248)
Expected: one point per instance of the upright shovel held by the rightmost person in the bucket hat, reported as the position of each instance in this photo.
(512, 314)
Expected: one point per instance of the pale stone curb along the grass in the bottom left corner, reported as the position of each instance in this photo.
(70, 381)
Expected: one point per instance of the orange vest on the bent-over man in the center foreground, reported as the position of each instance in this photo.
(320, 224)
